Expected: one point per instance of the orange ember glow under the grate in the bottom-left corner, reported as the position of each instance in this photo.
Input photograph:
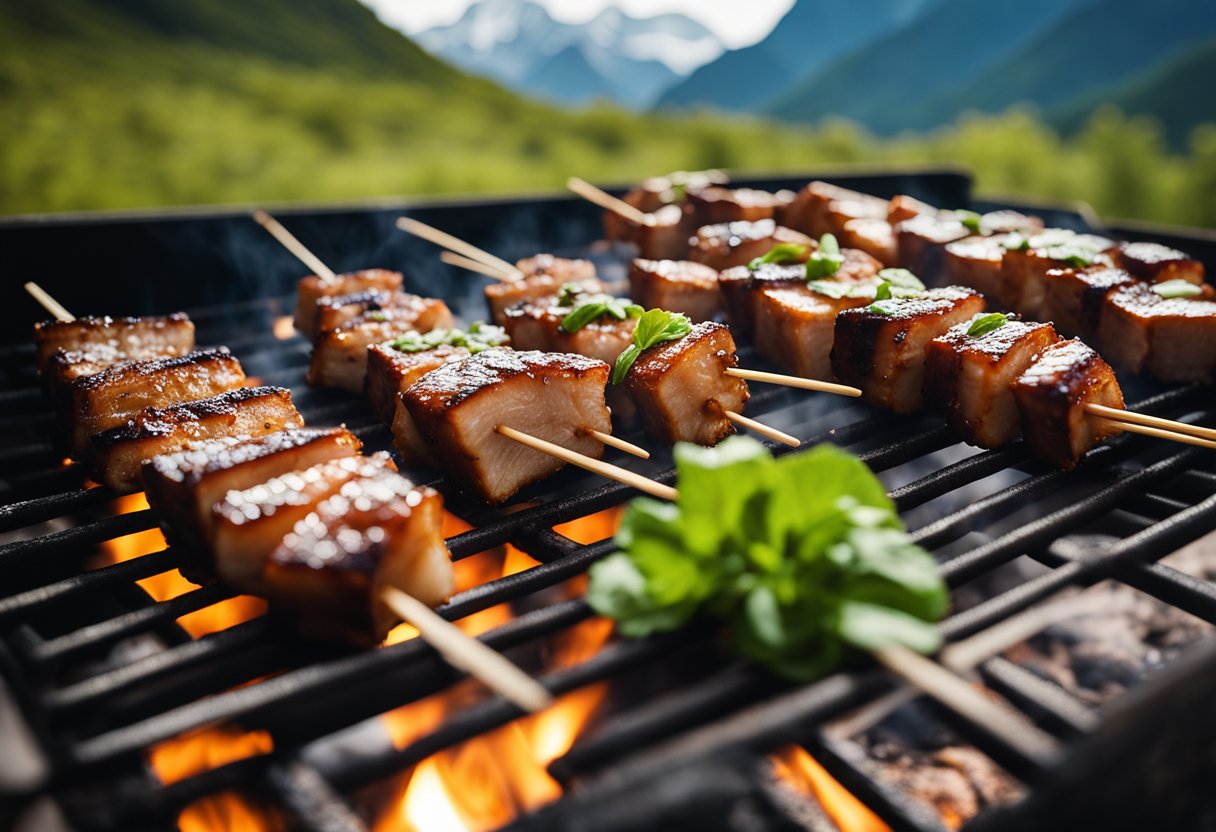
(202, 751)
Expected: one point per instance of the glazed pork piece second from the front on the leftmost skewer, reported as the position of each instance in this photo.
(252, 522)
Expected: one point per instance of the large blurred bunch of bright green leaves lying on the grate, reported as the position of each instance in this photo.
(803, 556)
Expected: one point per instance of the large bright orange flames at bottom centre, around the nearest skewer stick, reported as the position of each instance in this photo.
(488, 782)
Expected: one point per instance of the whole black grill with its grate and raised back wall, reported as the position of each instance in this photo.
(690, 727)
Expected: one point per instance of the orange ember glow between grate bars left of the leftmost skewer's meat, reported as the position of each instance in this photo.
(172, 584)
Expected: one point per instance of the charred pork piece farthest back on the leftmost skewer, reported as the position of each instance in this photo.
(153, 336)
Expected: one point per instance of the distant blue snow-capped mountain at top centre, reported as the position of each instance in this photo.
(613, 55)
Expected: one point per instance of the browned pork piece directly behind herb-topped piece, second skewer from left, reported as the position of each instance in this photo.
(340, 357)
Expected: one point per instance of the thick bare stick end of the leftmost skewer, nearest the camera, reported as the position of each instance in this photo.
(463, 651)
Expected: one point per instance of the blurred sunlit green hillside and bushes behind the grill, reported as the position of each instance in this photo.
(108, 119)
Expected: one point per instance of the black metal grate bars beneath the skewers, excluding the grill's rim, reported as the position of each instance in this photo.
(97, 717)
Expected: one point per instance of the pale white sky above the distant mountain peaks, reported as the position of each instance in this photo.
(738, 24)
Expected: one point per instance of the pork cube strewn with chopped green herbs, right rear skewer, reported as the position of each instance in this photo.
(1024, 269)
